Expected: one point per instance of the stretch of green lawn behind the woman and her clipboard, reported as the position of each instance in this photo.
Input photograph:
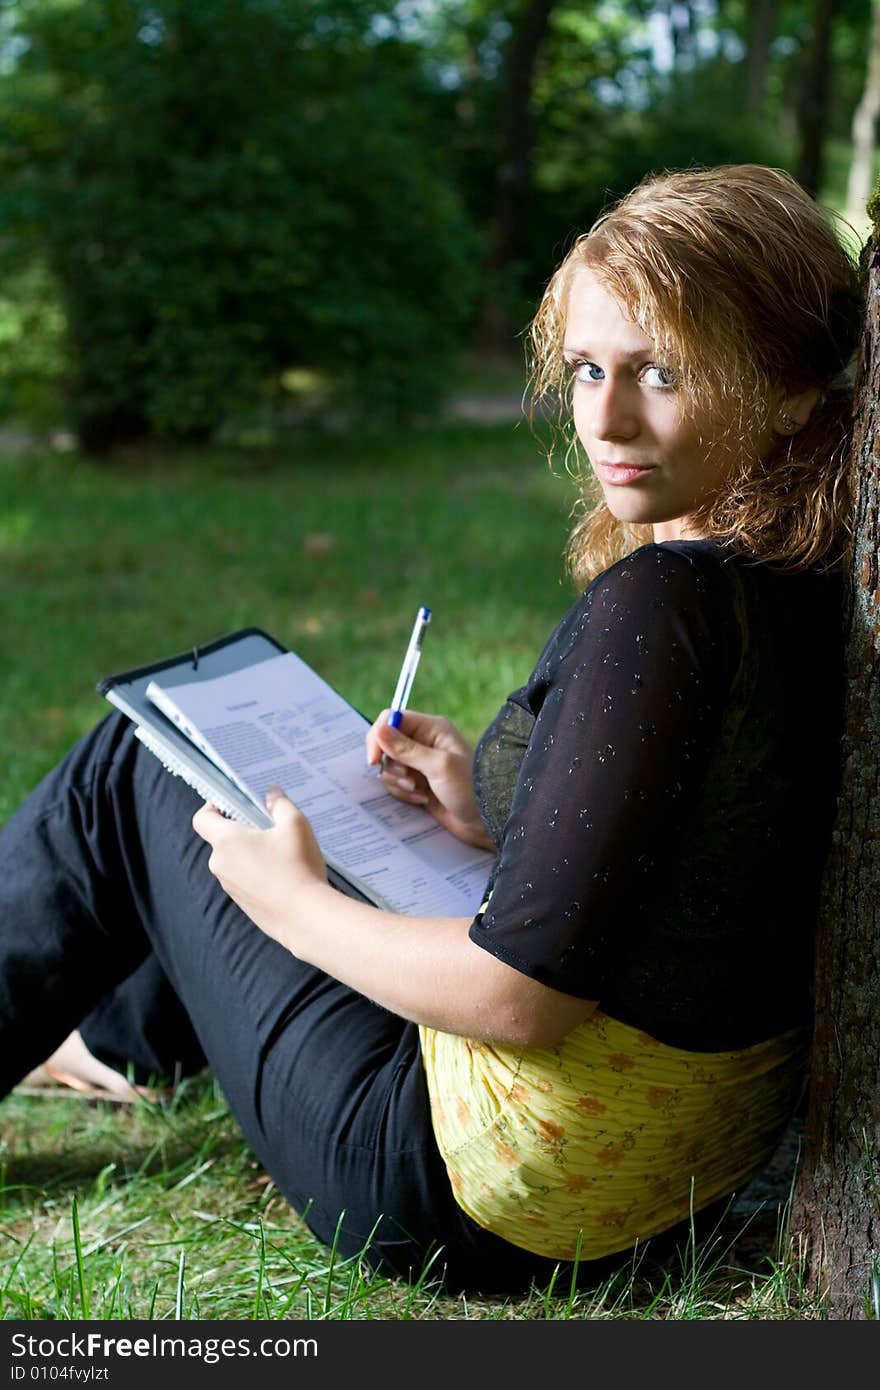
(330, 543)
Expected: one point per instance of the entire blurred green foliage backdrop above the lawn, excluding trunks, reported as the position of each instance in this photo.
(204, 201)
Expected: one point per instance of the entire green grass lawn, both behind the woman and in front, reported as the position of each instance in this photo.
(330, 543)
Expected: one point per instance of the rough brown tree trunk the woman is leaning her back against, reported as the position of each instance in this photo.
(838, 1196)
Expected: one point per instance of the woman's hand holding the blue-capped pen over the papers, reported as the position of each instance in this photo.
(429, 764)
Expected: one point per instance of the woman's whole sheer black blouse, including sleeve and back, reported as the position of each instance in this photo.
(662, 793)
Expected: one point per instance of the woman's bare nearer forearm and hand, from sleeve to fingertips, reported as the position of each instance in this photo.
(425, 970)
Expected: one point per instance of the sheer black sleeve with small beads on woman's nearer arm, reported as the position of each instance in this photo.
(615, 732)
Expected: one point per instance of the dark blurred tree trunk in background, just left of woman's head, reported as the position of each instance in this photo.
(514, 180)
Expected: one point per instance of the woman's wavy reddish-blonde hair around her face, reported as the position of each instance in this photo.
(744, 287)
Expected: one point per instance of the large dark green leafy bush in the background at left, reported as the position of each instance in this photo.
(227, 190)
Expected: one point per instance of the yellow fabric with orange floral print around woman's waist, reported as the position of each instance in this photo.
(597, 1145)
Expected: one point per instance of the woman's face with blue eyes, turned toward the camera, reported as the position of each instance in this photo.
(654, 465)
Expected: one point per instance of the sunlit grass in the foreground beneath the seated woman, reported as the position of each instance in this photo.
(161, 1211)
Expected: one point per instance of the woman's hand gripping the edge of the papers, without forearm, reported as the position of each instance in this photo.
(263, 871)
